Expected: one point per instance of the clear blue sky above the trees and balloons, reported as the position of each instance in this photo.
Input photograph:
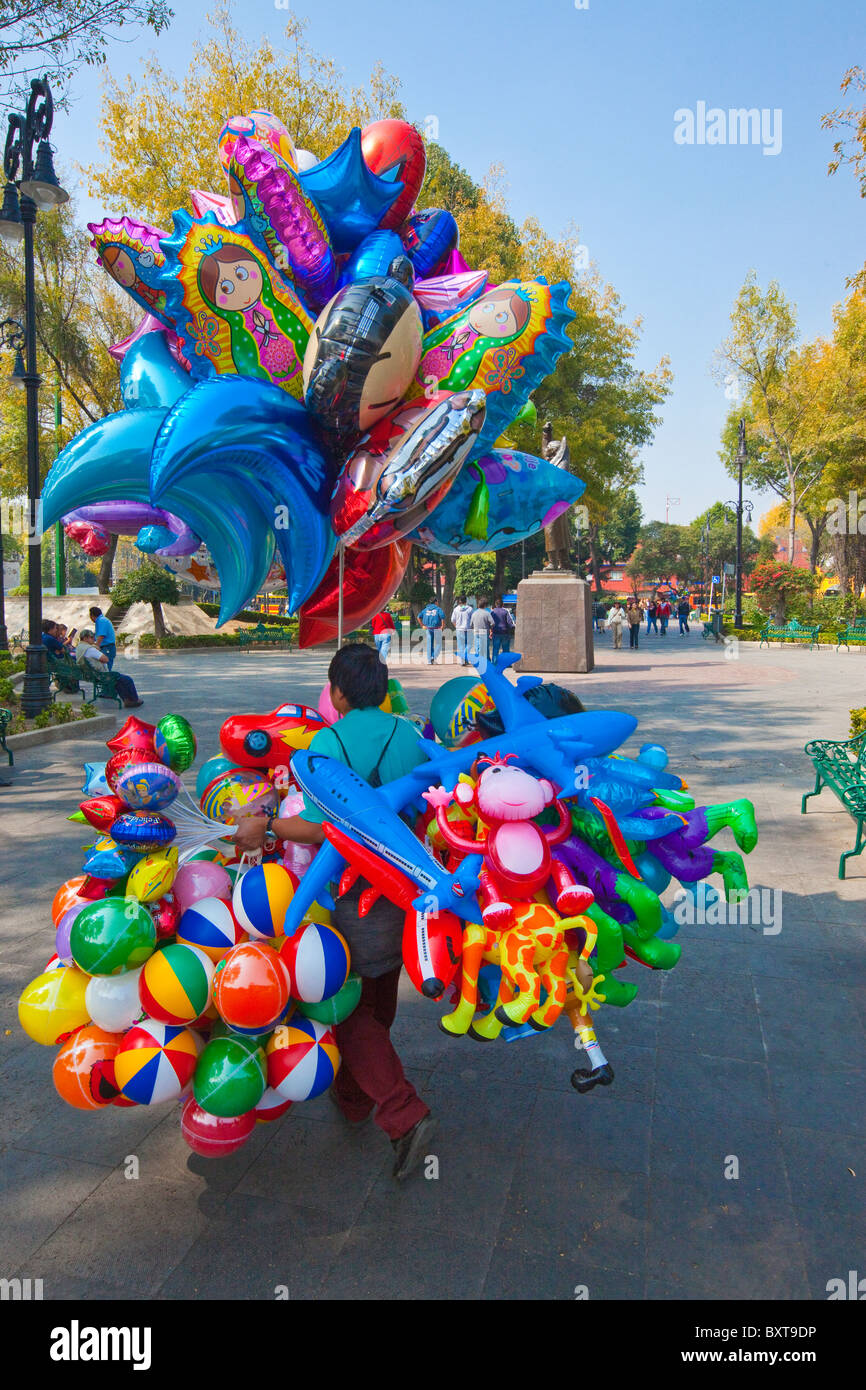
(579, 106)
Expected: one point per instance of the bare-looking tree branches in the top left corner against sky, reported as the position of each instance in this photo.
(56, 38)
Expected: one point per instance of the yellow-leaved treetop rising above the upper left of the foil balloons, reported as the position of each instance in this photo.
(162, 131)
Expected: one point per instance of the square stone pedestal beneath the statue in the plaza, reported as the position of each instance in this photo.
(555, 623)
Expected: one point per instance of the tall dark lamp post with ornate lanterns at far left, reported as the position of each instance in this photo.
(31, 187)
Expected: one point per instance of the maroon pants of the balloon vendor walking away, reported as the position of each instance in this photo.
(372, 1074)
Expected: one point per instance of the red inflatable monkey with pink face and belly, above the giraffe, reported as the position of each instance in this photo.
(518, 861)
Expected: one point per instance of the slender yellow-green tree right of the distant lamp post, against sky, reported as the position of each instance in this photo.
(761, 351)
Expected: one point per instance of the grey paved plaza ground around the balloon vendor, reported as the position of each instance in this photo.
(751, 1050)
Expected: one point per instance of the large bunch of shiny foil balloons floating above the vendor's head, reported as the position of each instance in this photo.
(318, 384)
